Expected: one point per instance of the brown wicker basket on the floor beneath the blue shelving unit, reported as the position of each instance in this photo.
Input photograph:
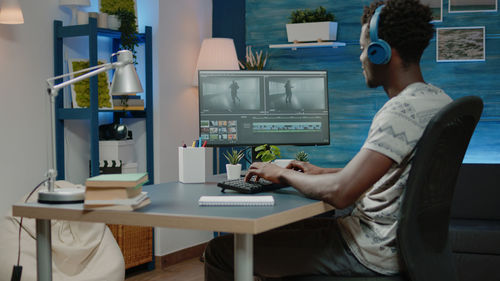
(136, 243)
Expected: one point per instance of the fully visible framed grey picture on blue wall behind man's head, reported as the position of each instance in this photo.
(456, 44)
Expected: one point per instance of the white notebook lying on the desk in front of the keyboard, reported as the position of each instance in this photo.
(266, 200)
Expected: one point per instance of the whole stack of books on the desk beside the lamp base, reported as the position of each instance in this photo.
(116, 192)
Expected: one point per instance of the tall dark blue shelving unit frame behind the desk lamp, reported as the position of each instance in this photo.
(91, 31)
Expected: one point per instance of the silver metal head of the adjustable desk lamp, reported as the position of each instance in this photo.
(125, 80)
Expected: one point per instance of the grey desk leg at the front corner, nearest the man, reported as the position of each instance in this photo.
(243, 257)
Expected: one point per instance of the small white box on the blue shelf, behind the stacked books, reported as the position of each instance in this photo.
(117, 150)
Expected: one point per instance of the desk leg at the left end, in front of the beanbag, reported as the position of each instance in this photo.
(43, 250)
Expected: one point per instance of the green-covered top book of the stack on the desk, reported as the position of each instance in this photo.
(117, 180)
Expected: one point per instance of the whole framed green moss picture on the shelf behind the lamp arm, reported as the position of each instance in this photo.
(80, 91)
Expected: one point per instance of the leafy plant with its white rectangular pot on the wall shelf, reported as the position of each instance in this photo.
(311, 25)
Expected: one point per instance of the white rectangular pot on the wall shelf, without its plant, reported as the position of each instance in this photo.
(312, 31)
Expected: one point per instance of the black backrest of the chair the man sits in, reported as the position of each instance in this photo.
(425, 211)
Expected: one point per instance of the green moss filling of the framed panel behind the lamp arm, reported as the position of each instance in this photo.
(82, 88)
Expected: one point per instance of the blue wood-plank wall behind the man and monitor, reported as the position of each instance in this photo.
(352, 104)
